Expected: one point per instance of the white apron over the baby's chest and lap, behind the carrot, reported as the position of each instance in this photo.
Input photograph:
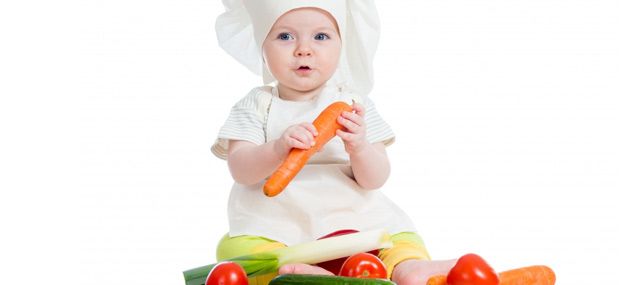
(321, 199)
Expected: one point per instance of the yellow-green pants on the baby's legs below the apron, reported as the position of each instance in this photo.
(407, 245)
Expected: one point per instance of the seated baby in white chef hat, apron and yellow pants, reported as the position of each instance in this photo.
(310, 54)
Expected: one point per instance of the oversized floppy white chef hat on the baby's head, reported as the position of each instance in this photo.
(241, 31)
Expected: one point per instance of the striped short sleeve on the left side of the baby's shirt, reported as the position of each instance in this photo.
(245, 122)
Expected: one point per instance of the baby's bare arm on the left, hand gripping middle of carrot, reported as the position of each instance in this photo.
(250, 163)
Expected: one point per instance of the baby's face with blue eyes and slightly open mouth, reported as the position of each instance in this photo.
(302, 49)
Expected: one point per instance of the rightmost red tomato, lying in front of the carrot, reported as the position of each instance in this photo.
(471, 269)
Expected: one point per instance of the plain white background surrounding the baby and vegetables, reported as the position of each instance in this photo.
(514, 121)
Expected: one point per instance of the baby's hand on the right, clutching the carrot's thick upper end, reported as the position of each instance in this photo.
(354, 137)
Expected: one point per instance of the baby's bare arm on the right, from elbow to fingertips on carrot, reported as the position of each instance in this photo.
(370, 163)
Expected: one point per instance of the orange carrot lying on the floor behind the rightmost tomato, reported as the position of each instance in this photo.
(531, 275)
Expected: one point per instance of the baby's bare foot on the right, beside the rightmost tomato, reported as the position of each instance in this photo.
(412, 271)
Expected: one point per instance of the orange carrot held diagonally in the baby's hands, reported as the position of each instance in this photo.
(327, 126)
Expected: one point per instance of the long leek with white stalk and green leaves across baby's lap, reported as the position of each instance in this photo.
(310, 253)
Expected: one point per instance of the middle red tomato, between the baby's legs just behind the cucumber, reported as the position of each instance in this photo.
(363, 265)
